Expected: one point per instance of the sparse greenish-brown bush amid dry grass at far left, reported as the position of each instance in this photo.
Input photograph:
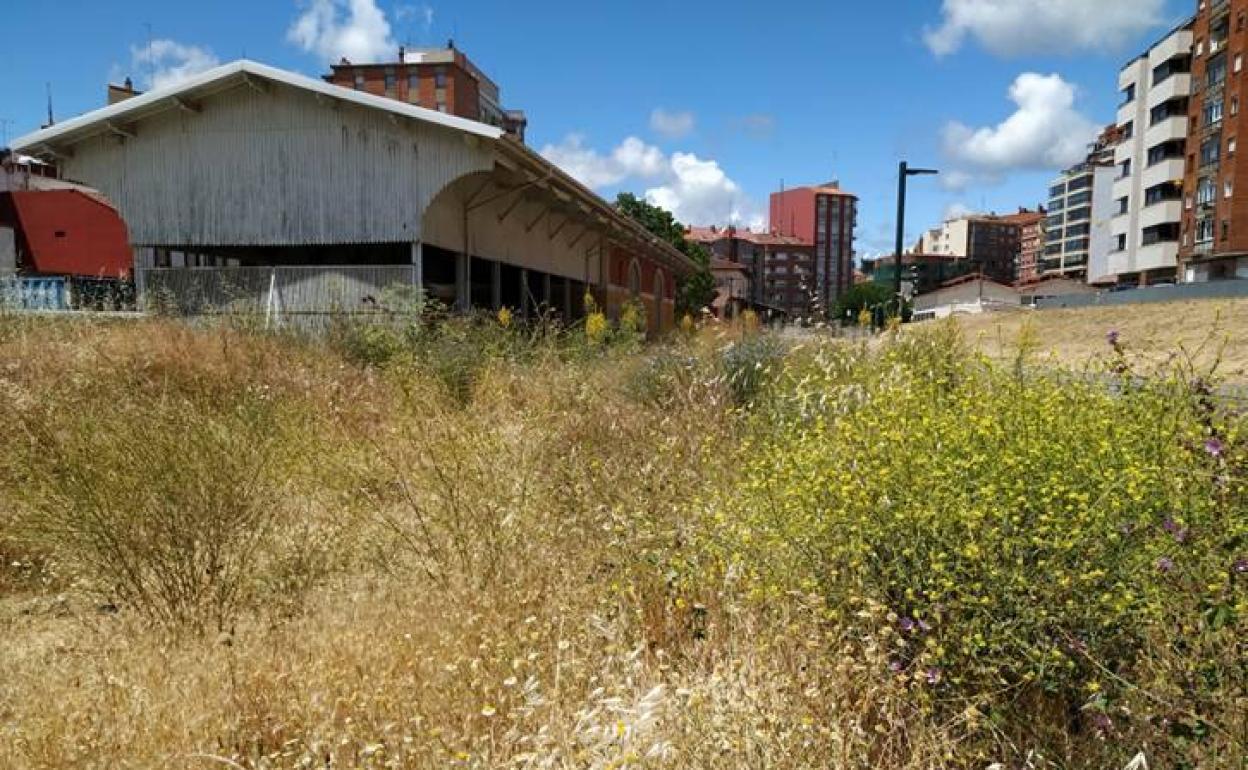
(162, 506)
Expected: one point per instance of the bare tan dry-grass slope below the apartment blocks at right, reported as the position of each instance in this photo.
(1154, 331)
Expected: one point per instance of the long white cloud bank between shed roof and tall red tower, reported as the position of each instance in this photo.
(696, 190)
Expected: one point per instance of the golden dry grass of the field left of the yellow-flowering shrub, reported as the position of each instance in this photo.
(531, 578)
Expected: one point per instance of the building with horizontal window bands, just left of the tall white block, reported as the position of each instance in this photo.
(1079, 235)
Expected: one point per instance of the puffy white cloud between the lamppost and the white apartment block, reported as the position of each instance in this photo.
(1045, 133)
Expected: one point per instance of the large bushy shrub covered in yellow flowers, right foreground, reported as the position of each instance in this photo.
(1018, 545)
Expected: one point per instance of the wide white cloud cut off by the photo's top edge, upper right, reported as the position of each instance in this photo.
(1012, 28)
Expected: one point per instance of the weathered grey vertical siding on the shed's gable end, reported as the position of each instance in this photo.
(275, 169)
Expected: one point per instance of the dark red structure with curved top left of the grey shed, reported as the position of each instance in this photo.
(68, 233)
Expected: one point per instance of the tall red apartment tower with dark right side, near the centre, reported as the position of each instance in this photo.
(824, 217)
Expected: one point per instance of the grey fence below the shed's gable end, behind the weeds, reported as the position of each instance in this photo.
(278, 294)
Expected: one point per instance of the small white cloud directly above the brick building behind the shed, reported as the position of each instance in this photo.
(354, 29)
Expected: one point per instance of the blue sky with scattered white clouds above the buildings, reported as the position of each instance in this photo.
(704, 107)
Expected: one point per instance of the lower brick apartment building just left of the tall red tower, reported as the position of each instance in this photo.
(781, 269)
